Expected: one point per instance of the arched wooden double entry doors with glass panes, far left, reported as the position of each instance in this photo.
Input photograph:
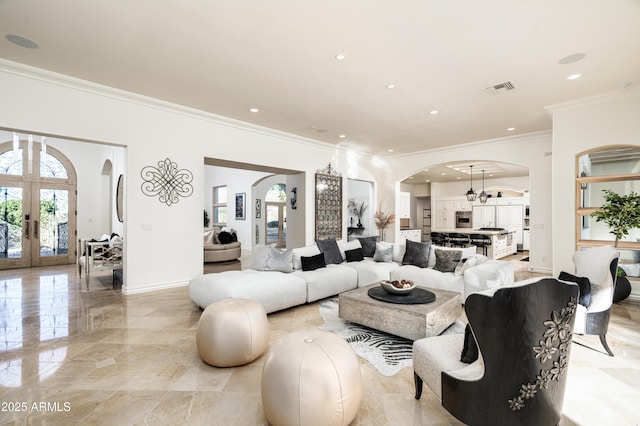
(37, 206)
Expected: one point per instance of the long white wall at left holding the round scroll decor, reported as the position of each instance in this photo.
(163, 244)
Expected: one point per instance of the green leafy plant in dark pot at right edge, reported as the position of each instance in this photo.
(621, 213)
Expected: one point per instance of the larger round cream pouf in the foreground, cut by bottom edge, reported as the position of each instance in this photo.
(310, 378)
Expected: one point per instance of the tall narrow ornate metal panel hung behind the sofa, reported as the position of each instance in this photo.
(328, 203)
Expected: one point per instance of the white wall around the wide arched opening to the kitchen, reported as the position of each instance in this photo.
(531, 151)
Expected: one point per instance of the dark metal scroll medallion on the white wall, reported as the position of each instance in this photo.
(166, 182)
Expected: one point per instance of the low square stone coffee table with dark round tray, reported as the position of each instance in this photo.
(409, 321)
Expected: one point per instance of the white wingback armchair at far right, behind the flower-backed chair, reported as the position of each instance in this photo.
(599, 265)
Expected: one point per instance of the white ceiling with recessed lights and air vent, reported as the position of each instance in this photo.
(226, 57)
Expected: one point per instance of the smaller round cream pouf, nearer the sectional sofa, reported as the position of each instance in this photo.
(232, 332)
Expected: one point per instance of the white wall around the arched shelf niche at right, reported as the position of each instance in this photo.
(611, 119)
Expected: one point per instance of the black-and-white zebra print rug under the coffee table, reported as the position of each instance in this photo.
(387, 353)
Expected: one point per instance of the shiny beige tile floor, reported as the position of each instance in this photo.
(71, 356)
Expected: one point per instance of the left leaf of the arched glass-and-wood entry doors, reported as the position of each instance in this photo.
(14, 227)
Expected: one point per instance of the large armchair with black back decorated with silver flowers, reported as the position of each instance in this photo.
(523, 334)
